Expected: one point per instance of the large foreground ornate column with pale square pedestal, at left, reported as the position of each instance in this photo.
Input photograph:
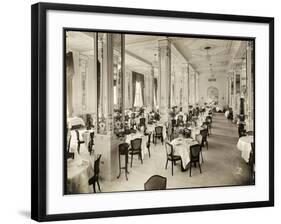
(106, 142)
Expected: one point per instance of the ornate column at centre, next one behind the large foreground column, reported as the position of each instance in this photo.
(165, 77)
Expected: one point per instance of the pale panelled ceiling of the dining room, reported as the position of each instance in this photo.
(142, 51)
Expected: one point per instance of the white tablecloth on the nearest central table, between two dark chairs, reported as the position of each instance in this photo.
(181, 148)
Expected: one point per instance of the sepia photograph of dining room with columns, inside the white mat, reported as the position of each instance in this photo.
(147, 111)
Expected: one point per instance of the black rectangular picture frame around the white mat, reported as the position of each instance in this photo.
(39, 110)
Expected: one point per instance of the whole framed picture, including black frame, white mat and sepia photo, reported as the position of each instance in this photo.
(139, 111)
